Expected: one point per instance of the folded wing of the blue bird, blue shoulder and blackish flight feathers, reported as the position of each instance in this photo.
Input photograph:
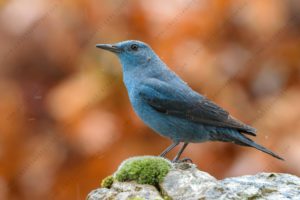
(183, 102)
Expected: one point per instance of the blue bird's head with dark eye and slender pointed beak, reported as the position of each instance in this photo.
(131, 53)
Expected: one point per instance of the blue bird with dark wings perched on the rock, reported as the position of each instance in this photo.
(170, 107)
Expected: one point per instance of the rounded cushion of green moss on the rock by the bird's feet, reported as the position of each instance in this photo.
(143, 170)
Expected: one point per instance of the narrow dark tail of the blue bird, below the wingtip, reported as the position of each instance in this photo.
(244, 141)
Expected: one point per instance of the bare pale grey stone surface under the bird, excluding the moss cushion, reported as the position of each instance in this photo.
(185, 181)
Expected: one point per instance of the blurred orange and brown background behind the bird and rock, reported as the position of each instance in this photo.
(65, 118)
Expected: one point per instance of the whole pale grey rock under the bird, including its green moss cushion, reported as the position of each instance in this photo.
(185, 181)
